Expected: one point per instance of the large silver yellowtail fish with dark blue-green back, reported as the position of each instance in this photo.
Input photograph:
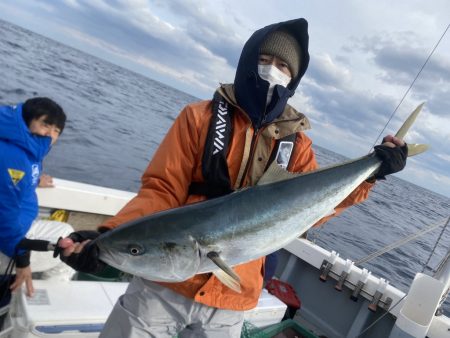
(214, 235)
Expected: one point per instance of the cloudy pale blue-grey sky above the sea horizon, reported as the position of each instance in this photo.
(364, 56)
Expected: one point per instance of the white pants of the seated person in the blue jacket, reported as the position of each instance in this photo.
(51, 268)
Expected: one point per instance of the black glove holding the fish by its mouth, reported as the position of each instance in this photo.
(87, 260)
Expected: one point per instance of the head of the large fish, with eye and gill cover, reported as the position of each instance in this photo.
(150, 256)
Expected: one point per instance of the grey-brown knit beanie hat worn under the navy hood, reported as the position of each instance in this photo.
(283, 45)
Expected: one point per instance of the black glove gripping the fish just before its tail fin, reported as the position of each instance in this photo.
(394, 160)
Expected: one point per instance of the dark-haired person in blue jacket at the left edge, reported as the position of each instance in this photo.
(27, 132)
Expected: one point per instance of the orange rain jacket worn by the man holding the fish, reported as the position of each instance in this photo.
(178, 162)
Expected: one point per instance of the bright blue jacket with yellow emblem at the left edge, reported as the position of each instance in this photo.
(21, 155)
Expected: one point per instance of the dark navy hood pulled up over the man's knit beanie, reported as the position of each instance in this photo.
(251, 90)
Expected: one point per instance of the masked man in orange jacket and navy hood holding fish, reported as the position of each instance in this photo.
(209, 152)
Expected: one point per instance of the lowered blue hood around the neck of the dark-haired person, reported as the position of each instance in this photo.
(13, 129)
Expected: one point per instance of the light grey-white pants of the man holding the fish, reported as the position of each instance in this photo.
(148, 310)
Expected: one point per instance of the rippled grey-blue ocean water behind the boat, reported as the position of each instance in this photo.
(117, 118)
